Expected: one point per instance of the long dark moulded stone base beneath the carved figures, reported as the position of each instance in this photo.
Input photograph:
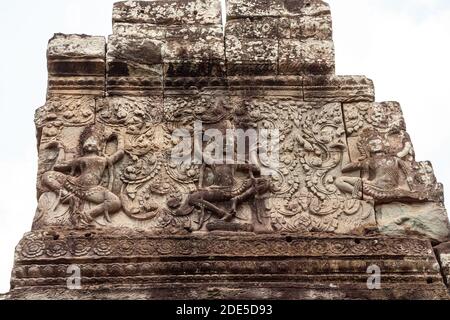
(294, 265)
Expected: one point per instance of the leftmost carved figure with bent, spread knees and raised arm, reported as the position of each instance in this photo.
(78, 181)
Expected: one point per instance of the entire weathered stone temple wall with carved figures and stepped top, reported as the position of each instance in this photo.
(346, 202)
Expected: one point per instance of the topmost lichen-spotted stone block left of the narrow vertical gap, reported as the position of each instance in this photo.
(169, 12)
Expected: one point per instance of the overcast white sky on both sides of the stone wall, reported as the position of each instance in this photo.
(403, 45)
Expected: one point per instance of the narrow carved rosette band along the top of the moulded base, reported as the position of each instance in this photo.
(39, 246)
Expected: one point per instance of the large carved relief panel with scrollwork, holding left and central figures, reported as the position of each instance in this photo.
(143, 189)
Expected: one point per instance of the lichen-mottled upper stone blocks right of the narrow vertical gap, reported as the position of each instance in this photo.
(271, 43)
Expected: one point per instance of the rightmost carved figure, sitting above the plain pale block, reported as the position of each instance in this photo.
(381, 174)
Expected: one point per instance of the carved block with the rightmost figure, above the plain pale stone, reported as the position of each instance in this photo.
(382, 150)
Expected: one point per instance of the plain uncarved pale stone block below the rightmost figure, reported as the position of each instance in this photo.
(425, 219)
